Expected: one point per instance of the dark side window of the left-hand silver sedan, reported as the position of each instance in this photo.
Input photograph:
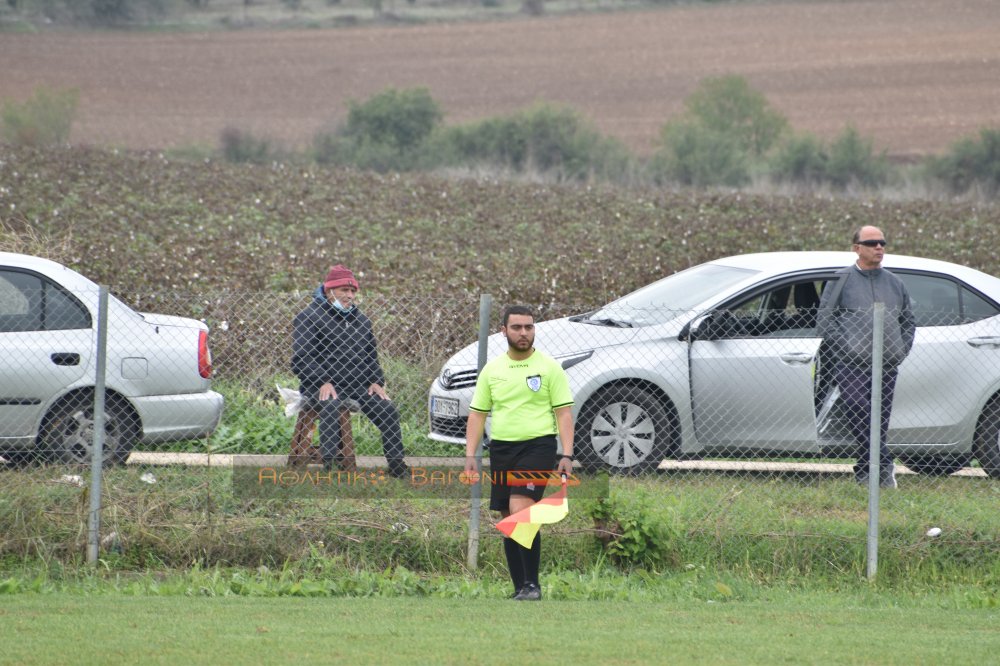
(29, 303)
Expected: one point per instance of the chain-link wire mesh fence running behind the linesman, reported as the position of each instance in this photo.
(746, 421)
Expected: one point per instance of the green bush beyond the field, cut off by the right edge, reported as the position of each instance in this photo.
(970, 164)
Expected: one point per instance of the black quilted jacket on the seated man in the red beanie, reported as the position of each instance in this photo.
(329, 345)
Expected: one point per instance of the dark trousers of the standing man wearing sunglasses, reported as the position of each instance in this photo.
(855, 384)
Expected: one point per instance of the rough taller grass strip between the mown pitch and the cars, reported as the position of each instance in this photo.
(742, 532)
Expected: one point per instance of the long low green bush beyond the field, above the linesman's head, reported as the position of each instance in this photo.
(543, 138)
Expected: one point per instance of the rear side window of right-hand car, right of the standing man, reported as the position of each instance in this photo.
(940, 301)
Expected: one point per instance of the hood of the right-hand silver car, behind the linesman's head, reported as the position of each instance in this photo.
(557, 338)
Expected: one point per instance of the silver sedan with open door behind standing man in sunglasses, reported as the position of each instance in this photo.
(723, 360)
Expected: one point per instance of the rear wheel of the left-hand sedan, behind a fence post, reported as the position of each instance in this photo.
(68, 431)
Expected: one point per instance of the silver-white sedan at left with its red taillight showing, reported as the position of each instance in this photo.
(157, 368)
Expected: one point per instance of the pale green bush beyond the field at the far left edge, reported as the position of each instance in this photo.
(43, 120)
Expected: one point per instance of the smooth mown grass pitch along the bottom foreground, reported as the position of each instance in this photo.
(826, 628)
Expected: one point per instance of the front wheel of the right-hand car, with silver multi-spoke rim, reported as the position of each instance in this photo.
(624, 429)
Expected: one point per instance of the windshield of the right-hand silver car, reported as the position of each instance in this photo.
(665, 299)
